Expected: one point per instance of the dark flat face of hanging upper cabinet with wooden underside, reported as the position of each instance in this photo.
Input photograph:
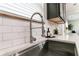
(53, 10)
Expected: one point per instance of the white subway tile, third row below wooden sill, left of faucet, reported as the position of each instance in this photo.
(13, 36)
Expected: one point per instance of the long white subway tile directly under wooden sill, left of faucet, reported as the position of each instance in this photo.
(14, 22)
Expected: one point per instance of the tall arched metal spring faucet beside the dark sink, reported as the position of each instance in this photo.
(31, 36)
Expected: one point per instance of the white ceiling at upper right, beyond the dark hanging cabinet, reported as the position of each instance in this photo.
(72, 11)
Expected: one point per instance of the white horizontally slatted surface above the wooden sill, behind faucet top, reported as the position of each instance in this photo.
(24, 9)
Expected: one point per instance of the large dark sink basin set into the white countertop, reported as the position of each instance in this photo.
(52, 48)
